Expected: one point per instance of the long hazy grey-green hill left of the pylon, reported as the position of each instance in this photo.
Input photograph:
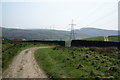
(41, 34)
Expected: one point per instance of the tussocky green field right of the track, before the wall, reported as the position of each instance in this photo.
(82, 62)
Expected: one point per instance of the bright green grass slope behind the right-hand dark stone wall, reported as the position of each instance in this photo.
(101, 38)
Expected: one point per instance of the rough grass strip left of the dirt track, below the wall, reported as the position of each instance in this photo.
(11, 49)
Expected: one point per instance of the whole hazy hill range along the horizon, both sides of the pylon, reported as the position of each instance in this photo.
(43, 34)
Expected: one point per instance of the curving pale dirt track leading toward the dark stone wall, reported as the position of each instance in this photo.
(24, 65)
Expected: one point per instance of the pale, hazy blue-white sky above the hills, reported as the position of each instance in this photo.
(58, 14)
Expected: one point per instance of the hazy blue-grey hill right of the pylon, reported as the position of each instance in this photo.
(94, 32)
